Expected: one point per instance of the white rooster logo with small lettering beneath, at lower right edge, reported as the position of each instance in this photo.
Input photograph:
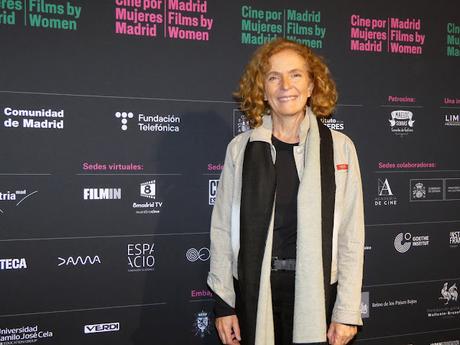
(448, 298)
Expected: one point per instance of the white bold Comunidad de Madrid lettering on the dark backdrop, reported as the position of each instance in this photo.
(34, 118)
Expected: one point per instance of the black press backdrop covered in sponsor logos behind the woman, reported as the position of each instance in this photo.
(115, 116)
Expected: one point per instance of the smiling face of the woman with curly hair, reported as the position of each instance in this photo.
(287, 84)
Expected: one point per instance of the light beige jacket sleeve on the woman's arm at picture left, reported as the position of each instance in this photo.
(220, 277)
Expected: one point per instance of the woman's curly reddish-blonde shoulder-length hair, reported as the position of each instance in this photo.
(251, 87)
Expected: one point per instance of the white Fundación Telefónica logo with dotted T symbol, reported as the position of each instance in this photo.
(150, 123)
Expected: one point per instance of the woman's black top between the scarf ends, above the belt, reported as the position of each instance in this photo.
(287, 186)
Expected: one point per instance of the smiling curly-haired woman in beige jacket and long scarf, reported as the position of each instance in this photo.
(287, 230)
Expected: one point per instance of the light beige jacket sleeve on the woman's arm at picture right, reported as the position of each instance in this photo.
(350, 255)
